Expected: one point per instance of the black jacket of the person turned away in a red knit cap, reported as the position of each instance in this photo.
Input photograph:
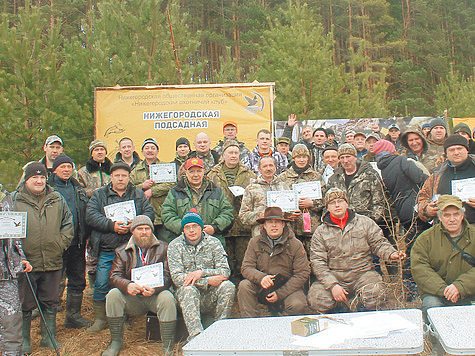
(403, 180)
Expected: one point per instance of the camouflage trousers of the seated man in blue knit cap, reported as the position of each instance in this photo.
(194, 302)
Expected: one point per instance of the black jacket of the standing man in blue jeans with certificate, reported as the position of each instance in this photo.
(103, 236)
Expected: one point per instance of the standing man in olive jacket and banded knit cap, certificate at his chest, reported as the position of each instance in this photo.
(154, 191)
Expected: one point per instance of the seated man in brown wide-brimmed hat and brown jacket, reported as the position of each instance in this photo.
(275, 251)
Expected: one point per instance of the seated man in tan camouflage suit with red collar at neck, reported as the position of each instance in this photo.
(340, 256)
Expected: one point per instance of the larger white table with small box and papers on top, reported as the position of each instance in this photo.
(272, 336)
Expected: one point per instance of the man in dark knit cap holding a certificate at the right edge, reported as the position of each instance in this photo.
(455, 176)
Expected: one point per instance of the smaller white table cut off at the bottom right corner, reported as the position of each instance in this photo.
(455, 328)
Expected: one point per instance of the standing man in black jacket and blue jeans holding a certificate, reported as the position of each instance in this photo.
(109, 213)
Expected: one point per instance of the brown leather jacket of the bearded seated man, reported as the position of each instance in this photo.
(126, 259)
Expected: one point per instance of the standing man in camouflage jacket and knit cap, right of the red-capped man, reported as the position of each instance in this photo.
(230, 172)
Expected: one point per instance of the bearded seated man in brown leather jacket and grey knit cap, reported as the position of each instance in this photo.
(143, 249)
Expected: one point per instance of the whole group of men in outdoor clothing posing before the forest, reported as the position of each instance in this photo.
(214, 236)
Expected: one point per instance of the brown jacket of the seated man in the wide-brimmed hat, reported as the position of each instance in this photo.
(288, 258)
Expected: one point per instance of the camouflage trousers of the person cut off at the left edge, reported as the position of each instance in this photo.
(10, 317)
